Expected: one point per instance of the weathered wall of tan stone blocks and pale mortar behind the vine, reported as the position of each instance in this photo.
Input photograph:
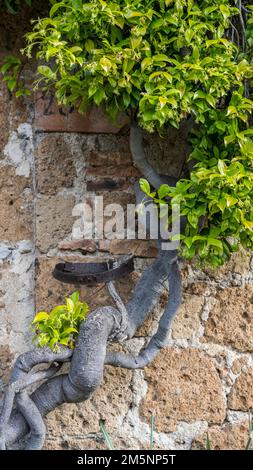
(202, 381)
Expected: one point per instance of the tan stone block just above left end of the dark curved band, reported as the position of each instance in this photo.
(54, 220)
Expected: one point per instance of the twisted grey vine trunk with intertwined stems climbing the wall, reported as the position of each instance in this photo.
(22, 414)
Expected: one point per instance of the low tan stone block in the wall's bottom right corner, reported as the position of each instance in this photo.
(228, 437)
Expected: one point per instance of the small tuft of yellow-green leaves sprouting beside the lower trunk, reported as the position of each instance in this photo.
(61, 325)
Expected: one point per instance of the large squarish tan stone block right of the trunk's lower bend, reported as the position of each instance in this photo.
(182, 386)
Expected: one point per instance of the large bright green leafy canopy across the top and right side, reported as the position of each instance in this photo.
(163, 61)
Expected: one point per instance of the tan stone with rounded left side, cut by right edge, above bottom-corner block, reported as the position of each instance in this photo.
(241, 395)
